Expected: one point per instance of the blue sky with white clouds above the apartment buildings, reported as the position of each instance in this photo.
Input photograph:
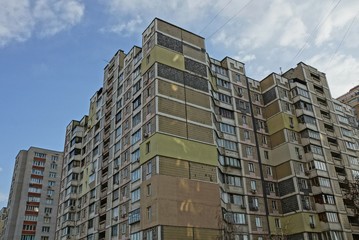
(52, 52)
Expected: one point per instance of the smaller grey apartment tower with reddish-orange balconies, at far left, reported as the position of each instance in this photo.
(33, 197)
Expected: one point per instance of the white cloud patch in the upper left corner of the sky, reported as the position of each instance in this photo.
(20, 19)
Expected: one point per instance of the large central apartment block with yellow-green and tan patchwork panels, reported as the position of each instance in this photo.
(178, 145)
